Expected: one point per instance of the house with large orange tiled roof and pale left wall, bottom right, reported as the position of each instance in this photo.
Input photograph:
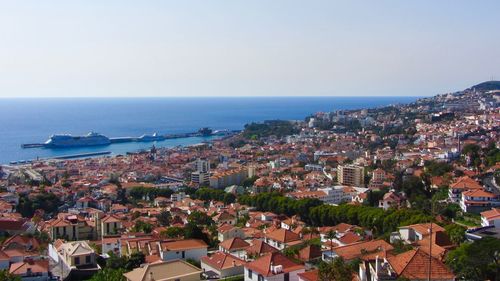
(410, 265)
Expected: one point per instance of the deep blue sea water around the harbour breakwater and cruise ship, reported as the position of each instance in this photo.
(34, 120)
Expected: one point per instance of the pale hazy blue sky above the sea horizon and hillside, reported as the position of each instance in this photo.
(96, 48)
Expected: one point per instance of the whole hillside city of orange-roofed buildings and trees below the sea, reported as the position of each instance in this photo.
(403, 192)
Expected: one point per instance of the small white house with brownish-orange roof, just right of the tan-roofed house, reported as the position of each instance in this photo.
(222, 265)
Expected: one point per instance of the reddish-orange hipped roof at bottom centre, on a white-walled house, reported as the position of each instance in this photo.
(263, 264)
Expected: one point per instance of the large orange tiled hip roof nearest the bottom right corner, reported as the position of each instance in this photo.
(414, 264)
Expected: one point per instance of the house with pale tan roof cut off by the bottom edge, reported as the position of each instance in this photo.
(166, 270)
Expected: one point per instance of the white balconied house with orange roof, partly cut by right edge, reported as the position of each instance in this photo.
(478, 200)
